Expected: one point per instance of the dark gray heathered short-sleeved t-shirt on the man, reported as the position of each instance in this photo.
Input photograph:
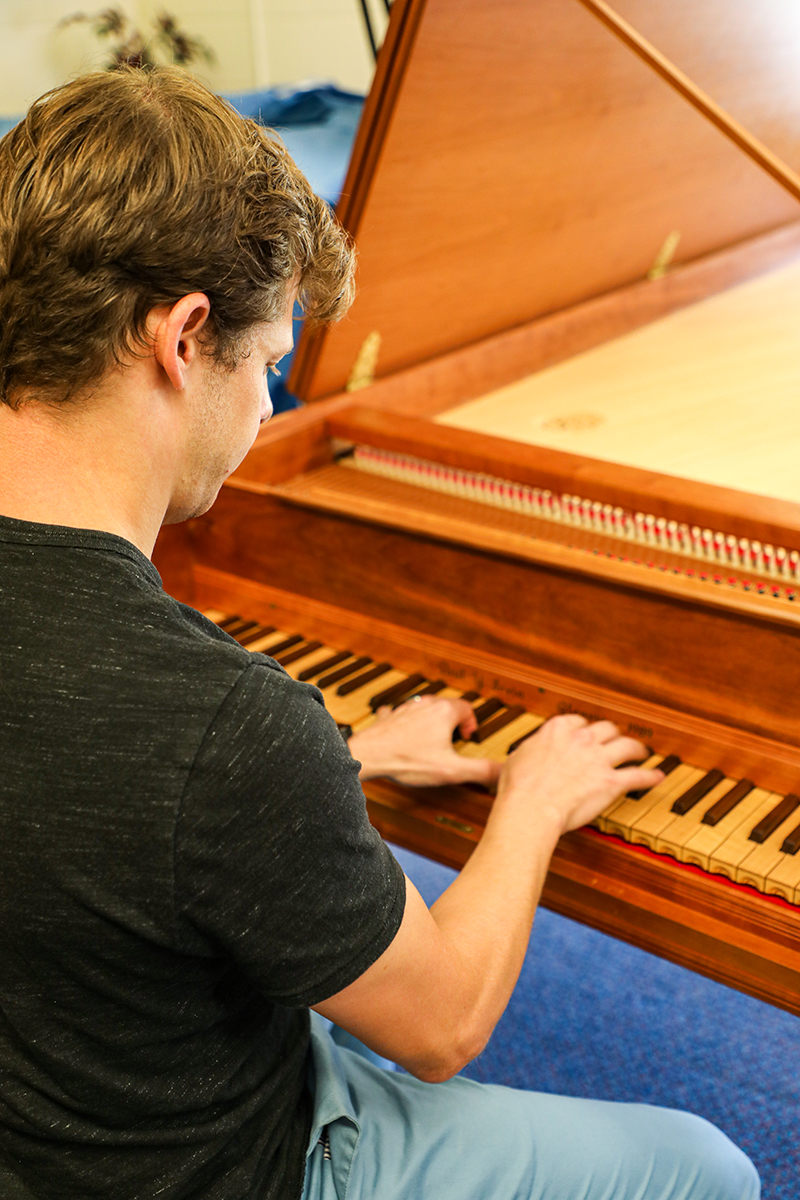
(185, 865)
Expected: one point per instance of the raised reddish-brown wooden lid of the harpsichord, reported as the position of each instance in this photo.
(516, 159)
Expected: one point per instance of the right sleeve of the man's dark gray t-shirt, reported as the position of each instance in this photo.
(276, 863)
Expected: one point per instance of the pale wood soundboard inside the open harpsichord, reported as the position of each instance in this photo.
(711, 394)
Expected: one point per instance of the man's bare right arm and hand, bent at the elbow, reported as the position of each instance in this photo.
(434, 998)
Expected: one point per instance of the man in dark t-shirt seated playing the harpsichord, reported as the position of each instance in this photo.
(187, 865)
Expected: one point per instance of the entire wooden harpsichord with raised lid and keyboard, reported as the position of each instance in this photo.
(552, 458)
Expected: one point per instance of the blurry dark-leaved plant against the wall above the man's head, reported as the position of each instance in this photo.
(130, 47)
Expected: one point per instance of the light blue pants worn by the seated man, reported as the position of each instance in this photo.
(383, 1136)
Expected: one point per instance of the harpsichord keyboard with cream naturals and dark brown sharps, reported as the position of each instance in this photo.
(725, 826)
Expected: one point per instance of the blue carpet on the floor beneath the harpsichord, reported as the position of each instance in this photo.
(594, 1017)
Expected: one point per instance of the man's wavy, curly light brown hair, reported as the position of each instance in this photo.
(125, 191)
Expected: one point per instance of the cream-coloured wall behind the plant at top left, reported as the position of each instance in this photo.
(256, 43)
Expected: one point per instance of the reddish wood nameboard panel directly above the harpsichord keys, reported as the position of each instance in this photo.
(713, 663)
